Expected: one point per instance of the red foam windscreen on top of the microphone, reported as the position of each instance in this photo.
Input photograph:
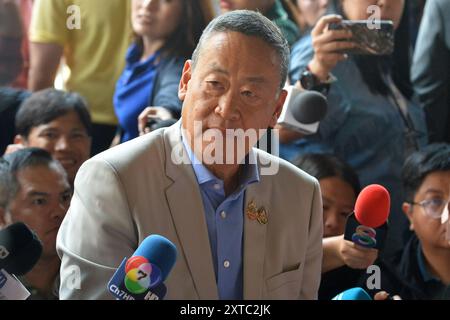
(372, 206)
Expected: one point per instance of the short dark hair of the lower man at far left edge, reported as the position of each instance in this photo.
(17, 161)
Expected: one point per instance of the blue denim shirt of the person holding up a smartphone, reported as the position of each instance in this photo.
(362, 128)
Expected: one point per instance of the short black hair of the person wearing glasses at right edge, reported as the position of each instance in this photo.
(432, 158)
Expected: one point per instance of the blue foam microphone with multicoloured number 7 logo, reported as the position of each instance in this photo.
(142, 276)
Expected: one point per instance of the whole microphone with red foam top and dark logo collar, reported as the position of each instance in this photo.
(367, 225)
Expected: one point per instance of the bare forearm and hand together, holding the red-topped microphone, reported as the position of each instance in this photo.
(338, 252)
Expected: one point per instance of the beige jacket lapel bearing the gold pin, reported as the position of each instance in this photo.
(255, 242)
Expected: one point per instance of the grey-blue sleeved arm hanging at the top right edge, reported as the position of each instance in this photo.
(429, 72)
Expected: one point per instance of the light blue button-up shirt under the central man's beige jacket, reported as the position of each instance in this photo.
(225, 222)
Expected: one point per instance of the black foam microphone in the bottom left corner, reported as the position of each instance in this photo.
(20, 250)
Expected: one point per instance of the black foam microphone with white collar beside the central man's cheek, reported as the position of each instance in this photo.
(303, 110)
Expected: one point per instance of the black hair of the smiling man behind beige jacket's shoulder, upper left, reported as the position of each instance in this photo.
(47, 105)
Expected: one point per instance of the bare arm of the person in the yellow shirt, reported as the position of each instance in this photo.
(44, 63)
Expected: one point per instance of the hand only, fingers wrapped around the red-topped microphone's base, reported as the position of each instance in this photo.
(355, 256)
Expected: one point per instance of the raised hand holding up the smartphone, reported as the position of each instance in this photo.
(326, 45)
